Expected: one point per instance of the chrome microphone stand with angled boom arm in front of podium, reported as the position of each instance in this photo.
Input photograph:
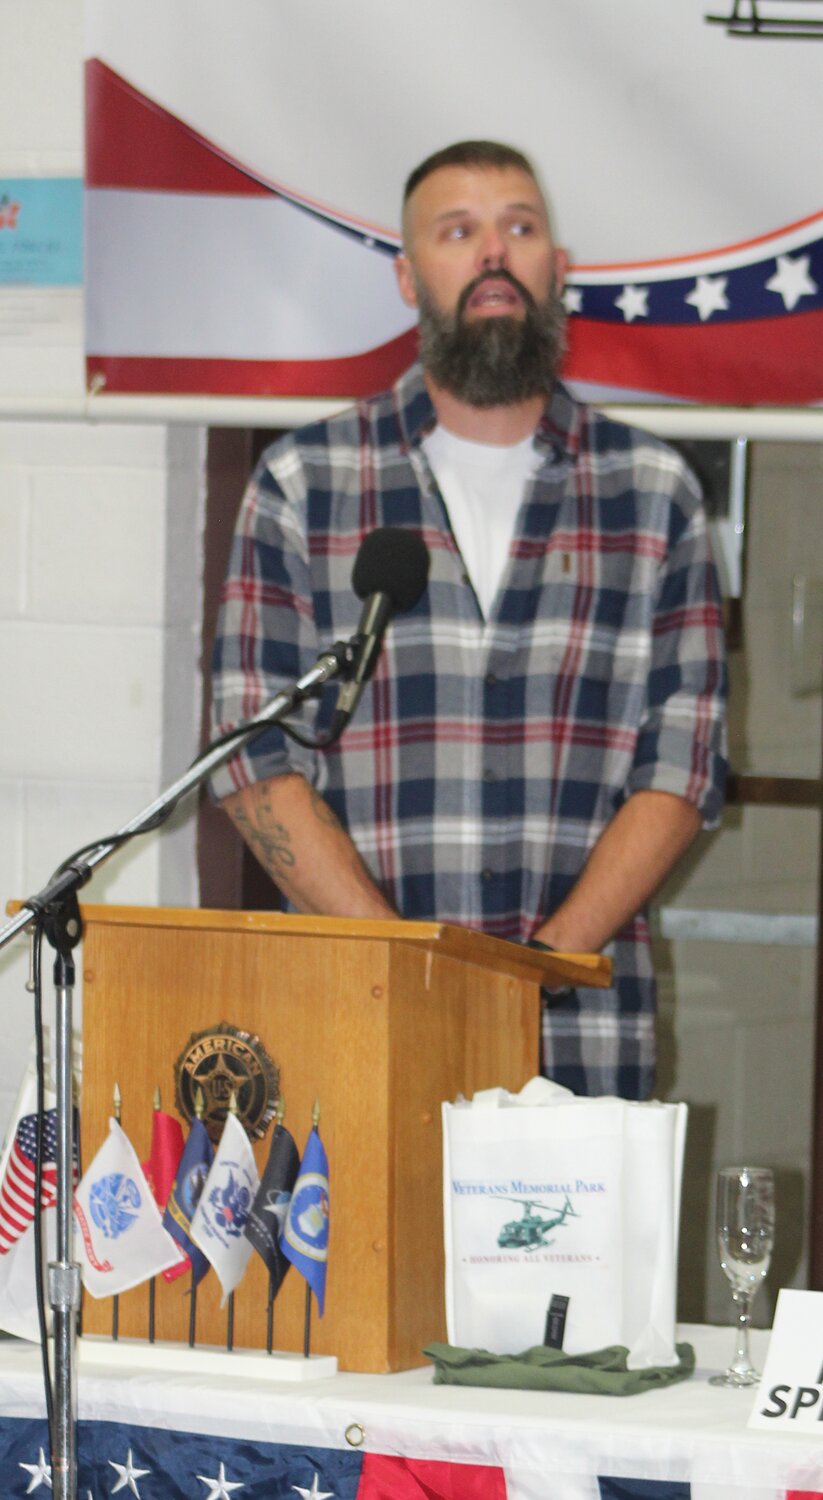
(56, 910)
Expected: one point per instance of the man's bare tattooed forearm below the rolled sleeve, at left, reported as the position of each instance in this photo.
(305, 850)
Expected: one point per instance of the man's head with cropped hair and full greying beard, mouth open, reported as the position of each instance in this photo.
(485, 275)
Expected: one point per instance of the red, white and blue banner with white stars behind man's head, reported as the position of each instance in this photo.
(209, 275)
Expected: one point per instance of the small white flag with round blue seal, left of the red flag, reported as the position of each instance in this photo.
(122, 1237)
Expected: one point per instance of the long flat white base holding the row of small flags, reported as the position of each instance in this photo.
(137, 1355)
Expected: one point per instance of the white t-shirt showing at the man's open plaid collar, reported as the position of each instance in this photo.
(482, 485)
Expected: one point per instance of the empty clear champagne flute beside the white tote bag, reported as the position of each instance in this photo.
(746, 1231)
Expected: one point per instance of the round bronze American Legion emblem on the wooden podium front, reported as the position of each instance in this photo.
(223, 1061)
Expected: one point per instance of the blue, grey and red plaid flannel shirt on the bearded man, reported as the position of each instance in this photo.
(486, 757)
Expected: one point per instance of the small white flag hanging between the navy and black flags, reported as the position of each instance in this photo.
(226, 1204)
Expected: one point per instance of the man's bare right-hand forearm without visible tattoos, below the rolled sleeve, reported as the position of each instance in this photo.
(629, 863)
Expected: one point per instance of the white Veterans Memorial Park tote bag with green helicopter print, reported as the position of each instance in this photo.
(566, 1199)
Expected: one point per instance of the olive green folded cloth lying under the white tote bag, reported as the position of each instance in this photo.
(603, 1373)
